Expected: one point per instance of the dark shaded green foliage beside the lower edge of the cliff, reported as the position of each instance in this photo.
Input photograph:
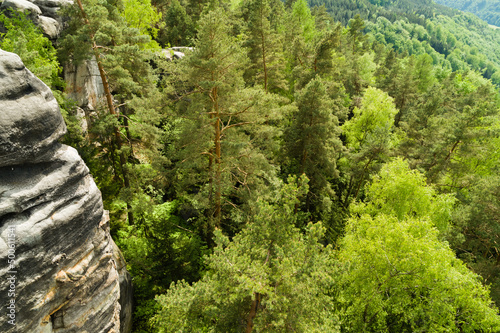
(159, 250)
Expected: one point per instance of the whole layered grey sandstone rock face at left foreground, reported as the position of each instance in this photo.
(59, 268)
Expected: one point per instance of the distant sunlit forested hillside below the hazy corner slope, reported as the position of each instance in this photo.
(455, 40)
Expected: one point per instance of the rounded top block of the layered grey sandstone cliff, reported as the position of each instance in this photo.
(30, 121)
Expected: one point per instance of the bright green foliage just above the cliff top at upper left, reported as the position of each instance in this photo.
(27, 41)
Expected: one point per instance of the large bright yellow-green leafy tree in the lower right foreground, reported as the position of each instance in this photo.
(398, 275)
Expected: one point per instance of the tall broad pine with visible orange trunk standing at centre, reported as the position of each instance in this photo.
(224, 125)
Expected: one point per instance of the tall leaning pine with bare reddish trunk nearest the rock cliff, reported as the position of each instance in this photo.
(97, 29)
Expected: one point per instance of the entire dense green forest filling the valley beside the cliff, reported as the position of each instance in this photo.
(330, 166)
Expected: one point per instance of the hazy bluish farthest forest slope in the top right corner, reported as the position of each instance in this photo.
(488, 10)
